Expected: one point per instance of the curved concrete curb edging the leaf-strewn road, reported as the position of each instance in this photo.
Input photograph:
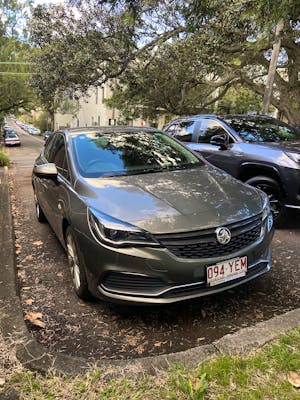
(37, 357)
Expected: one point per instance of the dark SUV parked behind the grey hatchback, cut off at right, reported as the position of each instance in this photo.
(258, 150)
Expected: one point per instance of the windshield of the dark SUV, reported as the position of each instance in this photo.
(260, 130)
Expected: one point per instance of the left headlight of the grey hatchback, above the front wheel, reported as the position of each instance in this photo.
(111, 231)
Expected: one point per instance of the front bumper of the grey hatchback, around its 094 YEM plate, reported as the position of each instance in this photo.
(156, 276)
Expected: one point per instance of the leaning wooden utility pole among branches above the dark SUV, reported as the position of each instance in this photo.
(272, 67)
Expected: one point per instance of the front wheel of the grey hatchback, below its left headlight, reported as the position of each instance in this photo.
(76, 266)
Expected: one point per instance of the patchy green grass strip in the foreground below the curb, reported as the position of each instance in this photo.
(258, 375)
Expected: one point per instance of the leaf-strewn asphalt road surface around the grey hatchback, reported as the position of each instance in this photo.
(95, 329)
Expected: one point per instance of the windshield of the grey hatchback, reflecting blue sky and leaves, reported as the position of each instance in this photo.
(126, 153)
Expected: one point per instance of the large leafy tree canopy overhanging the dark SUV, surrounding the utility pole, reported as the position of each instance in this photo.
(218, 48)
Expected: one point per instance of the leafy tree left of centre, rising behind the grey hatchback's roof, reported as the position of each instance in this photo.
(72, 54)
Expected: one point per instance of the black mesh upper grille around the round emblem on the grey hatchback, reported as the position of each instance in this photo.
(203, 244)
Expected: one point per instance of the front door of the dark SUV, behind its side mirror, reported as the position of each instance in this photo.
(227, 158)
